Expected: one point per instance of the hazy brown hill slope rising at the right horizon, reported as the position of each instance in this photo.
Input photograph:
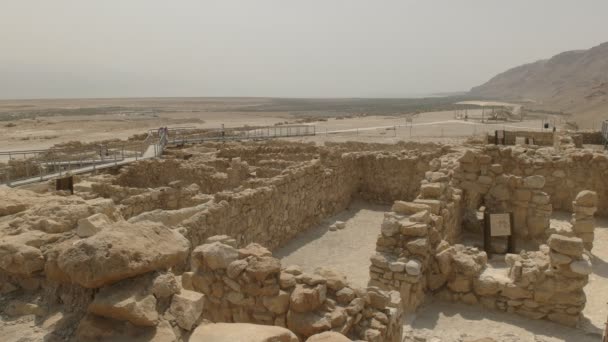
(574, 82)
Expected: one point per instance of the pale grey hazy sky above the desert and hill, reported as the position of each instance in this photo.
(281, 48)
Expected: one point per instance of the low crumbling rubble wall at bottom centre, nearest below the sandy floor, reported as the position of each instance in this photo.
(248, 285)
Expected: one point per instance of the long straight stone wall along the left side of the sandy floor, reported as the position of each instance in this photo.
(273, 211)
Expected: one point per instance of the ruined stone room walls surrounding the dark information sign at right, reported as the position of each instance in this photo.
(417, 253)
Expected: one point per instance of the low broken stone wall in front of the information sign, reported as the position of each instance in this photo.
(547, 284)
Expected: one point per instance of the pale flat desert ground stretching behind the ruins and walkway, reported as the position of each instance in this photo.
(136, 116)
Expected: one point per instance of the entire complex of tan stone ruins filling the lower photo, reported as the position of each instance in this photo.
(181, 248)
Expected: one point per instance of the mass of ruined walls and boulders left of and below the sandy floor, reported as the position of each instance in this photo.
(117, 256)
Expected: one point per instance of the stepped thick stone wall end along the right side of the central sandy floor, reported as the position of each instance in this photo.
(413, 232)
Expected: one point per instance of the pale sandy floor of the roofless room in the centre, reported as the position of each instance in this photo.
(347, 250)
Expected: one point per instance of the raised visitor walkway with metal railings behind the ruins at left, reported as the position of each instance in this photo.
(30, 166)
